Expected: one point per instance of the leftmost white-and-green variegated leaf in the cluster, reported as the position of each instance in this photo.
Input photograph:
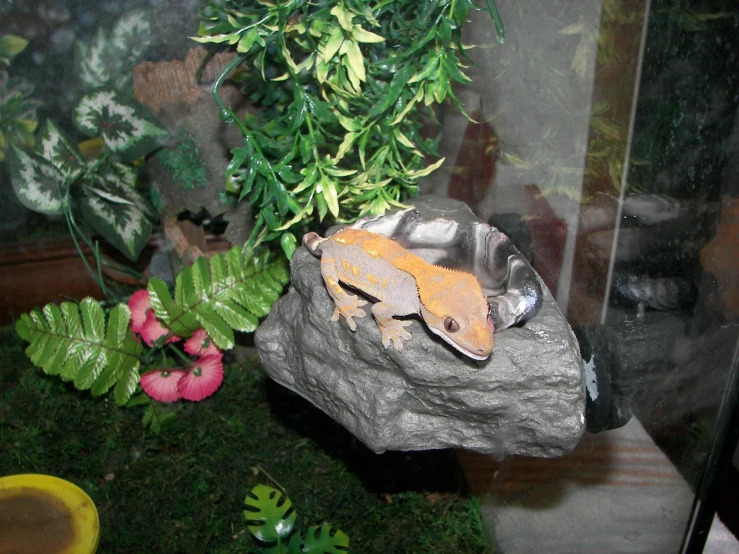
(36, 181)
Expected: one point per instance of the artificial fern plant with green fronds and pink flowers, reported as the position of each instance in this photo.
(79, 343)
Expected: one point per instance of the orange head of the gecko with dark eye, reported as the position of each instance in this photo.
(460, 316)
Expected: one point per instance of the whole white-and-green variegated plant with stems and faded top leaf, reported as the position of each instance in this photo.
(97, 185)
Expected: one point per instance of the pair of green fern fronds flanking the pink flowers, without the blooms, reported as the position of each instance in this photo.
(229, 292)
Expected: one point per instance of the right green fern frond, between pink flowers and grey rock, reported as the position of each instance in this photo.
(231, 291)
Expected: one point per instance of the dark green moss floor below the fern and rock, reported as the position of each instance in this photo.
(183, 491)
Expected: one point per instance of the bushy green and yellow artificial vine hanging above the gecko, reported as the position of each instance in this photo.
(341, 85)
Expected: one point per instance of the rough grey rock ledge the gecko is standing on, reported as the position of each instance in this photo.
(526, 399)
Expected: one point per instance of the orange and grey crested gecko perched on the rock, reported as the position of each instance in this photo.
(450, 302)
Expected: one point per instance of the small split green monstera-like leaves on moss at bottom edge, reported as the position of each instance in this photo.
(270, 518)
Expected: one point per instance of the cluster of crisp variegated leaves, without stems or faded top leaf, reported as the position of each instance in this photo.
(56, 177)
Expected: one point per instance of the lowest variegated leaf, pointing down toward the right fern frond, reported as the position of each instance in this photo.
(114, 214)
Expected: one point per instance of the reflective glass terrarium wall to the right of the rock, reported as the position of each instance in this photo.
(604, 142)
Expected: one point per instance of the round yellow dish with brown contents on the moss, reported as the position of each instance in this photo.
(41, 513)
